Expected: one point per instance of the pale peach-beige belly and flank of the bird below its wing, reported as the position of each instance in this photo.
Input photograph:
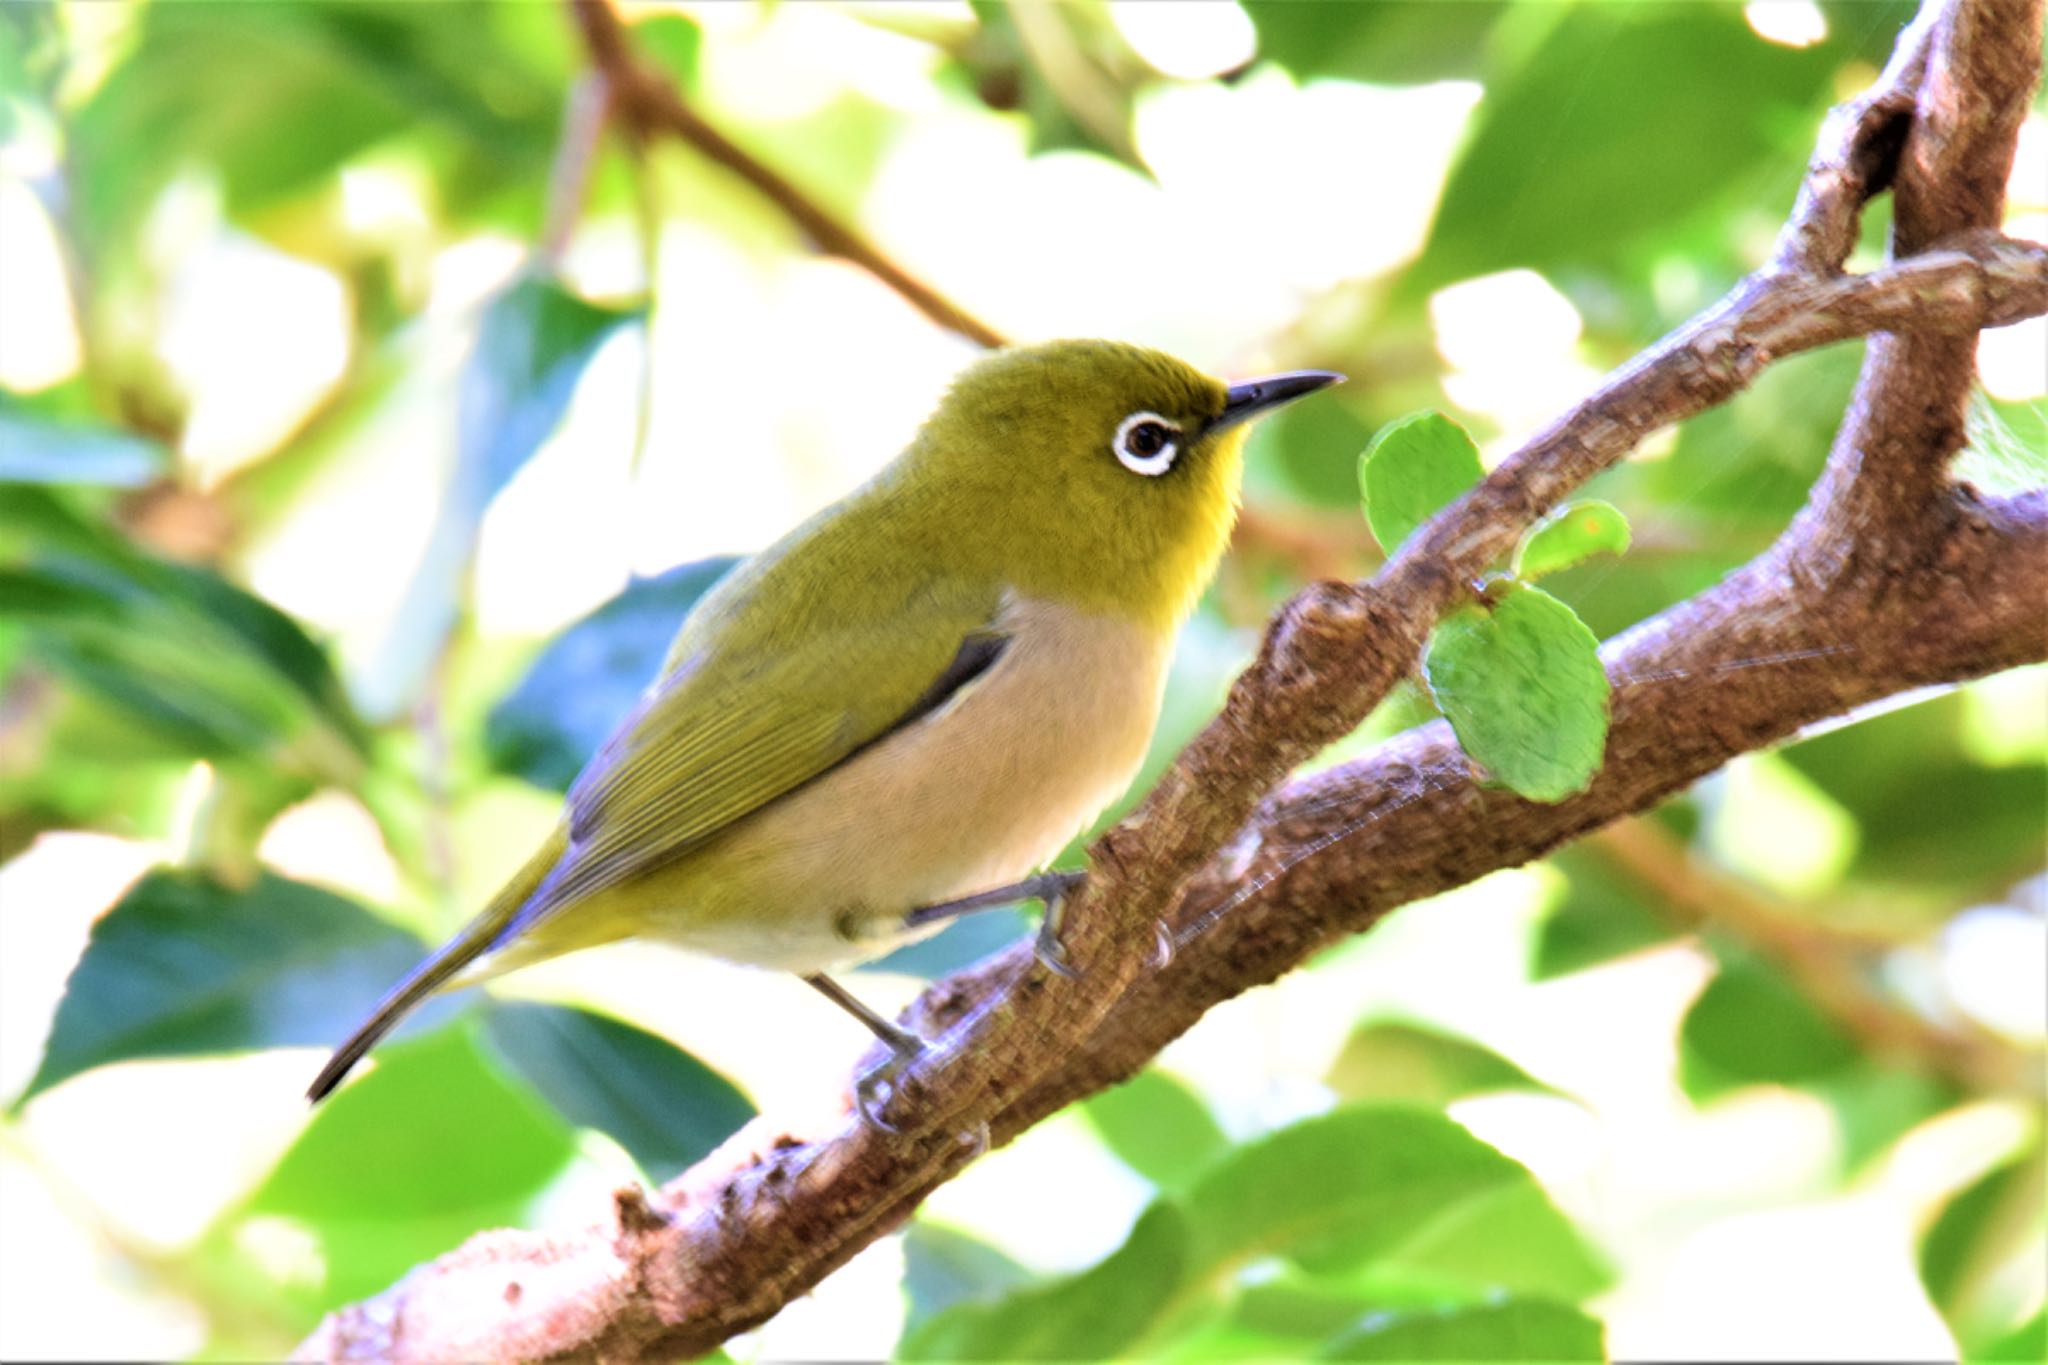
(972, 797)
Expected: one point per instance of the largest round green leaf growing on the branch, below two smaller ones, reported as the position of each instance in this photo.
(1523, 687)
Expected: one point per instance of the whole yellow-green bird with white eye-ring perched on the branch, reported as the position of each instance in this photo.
(910, 701)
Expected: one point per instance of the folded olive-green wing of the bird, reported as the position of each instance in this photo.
(734, 728)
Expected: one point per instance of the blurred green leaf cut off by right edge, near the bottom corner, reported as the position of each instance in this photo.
(1967, 1256)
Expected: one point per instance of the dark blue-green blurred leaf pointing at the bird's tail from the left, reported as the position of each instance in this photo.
(183, 967)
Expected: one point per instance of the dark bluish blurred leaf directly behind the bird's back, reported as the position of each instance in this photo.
(591, 676)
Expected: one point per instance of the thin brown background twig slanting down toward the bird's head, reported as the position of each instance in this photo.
(650, 105)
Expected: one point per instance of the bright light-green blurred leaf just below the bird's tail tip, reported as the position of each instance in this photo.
(429, 1147)
